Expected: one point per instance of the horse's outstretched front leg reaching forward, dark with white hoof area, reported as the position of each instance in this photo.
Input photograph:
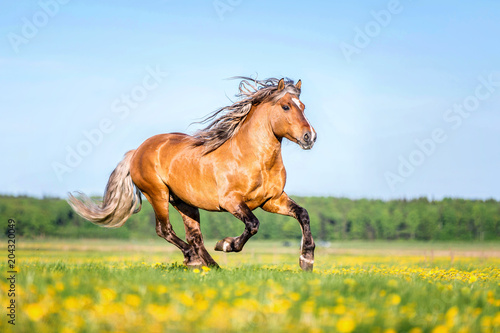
(285, 206)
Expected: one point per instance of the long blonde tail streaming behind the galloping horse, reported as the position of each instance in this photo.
(121, 199)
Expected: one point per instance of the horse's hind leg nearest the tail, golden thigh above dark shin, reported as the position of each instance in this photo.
(164, 228)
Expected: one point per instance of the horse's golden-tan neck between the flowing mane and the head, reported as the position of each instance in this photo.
(256, 136)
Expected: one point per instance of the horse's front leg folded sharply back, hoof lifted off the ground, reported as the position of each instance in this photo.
(240, 210)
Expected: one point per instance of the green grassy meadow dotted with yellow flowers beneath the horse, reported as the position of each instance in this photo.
(126, 286)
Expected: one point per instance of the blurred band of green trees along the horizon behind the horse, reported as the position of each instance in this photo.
(331, 219)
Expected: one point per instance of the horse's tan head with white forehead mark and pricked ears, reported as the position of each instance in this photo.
(288, 119)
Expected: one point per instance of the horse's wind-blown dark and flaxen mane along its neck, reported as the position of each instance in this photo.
(225, 122)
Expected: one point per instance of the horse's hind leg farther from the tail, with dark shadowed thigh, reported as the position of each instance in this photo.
(191, 217)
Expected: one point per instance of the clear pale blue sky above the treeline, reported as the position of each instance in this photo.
(404, 95)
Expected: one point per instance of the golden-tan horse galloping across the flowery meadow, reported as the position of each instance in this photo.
(232, 165)
